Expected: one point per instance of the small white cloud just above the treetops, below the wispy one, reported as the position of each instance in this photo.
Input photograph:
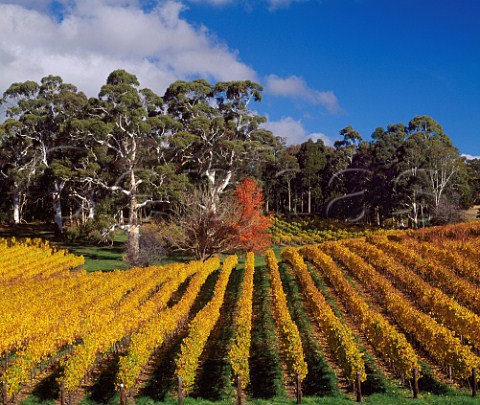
(294, 132)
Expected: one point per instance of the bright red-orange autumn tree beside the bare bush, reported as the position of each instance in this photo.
(252, 225)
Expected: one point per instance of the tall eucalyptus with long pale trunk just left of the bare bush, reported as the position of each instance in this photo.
(125, 128)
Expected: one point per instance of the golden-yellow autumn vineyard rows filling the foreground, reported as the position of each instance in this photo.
(394, 314)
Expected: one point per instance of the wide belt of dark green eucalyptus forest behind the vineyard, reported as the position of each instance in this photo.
(130, 154)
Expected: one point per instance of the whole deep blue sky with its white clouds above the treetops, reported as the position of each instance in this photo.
(324, 64)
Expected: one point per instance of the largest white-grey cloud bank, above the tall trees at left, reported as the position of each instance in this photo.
(94, 37)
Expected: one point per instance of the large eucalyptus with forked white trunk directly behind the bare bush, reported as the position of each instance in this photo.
(219, 132)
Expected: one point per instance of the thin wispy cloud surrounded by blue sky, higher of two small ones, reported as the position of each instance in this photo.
(296, 87)
